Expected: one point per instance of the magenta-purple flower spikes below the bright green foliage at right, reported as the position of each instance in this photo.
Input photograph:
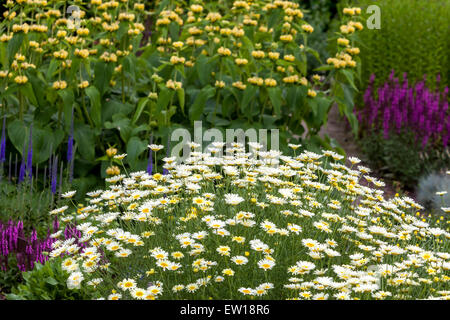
(398, 105)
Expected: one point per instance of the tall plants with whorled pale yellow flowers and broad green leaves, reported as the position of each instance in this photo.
(78, 91)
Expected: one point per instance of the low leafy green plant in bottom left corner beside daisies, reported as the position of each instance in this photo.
(47, 282)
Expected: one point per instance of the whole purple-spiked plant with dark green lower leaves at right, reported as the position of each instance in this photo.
(405, 128)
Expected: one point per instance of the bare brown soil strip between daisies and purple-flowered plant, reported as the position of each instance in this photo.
(339, 129)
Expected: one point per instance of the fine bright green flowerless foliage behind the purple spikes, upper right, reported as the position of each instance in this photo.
(413, 38)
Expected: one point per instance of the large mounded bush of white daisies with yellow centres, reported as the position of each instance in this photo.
(253, 224)
